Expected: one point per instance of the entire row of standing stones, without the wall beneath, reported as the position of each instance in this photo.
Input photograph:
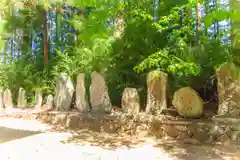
(186, 101)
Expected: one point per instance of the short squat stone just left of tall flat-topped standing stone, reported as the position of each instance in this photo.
(130, 101)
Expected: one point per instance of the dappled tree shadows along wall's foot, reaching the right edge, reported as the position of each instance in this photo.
(178, 149)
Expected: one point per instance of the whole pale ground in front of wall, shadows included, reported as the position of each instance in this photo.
(30, 139)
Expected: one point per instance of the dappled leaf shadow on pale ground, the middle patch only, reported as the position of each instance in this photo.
(104, 140)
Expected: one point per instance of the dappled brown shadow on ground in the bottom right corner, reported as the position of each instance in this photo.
(199, 152)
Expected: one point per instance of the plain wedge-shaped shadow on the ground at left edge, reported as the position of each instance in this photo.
(9, 134)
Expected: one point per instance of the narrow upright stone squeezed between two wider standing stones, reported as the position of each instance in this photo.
(81, 100)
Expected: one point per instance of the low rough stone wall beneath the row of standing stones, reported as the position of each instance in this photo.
(203, 130)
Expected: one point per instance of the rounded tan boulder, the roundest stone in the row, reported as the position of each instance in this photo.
(188, 103)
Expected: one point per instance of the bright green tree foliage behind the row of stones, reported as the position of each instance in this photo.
(161, 37)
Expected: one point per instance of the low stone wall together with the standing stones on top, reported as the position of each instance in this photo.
(97, 112)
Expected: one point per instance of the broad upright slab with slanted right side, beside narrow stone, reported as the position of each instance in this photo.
(99, 98)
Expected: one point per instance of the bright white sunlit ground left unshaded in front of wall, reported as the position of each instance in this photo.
(49, 145)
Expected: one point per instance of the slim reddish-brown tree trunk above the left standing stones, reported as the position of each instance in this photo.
(45, 38)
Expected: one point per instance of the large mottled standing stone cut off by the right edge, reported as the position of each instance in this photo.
(228, 84)
